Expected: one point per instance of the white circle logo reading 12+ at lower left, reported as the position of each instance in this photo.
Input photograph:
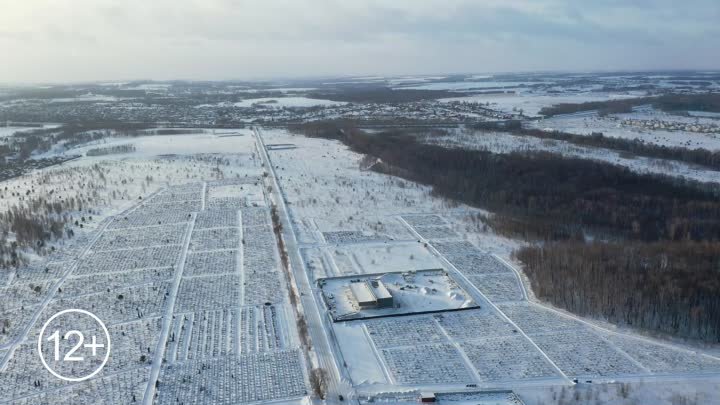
(73, 345)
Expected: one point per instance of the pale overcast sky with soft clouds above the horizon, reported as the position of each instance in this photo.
(83, 40)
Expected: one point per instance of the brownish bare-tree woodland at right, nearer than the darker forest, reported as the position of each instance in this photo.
(673, 288)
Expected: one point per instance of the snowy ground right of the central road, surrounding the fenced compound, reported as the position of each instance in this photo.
(510, 342)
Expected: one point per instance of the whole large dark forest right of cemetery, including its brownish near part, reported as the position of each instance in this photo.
(635, 249)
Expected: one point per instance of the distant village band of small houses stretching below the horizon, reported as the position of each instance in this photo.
(257, 113)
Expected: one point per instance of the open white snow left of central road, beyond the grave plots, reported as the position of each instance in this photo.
(109, 184)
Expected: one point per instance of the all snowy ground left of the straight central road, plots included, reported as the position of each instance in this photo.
(187, 278)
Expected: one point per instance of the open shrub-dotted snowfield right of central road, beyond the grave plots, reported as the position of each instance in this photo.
(327, 192)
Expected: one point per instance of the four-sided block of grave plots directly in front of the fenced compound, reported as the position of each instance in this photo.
(455, 348)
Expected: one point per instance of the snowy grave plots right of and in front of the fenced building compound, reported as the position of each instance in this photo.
(496, 351)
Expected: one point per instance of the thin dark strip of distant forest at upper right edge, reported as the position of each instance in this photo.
(668, 102)
